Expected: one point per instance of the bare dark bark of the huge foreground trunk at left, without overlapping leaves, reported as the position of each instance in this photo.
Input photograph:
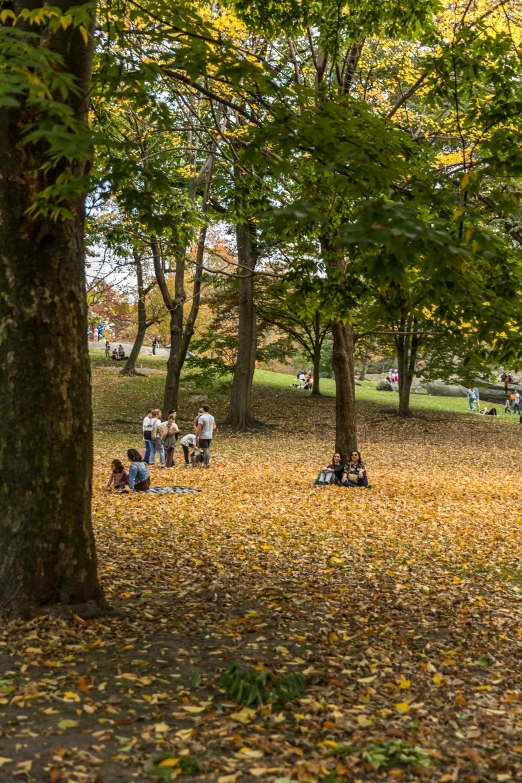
(47, 550)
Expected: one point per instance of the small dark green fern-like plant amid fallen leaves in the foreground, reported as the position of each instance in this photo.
(250, 688)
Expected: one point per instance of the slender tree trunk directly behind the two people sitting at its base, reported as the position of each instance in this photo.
(343, 364)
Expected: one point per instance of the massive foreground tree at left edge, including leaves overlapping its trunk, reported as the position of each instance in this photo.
(47, 551)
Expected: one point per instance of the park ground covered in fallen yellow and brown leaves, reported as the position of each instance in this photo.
(377, 632)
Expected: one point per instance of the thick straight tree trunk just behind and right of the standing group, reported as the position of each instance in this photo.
(240, 409)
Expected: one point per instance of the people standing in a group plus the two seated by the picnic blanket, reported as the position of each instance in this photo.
(160, 437)
